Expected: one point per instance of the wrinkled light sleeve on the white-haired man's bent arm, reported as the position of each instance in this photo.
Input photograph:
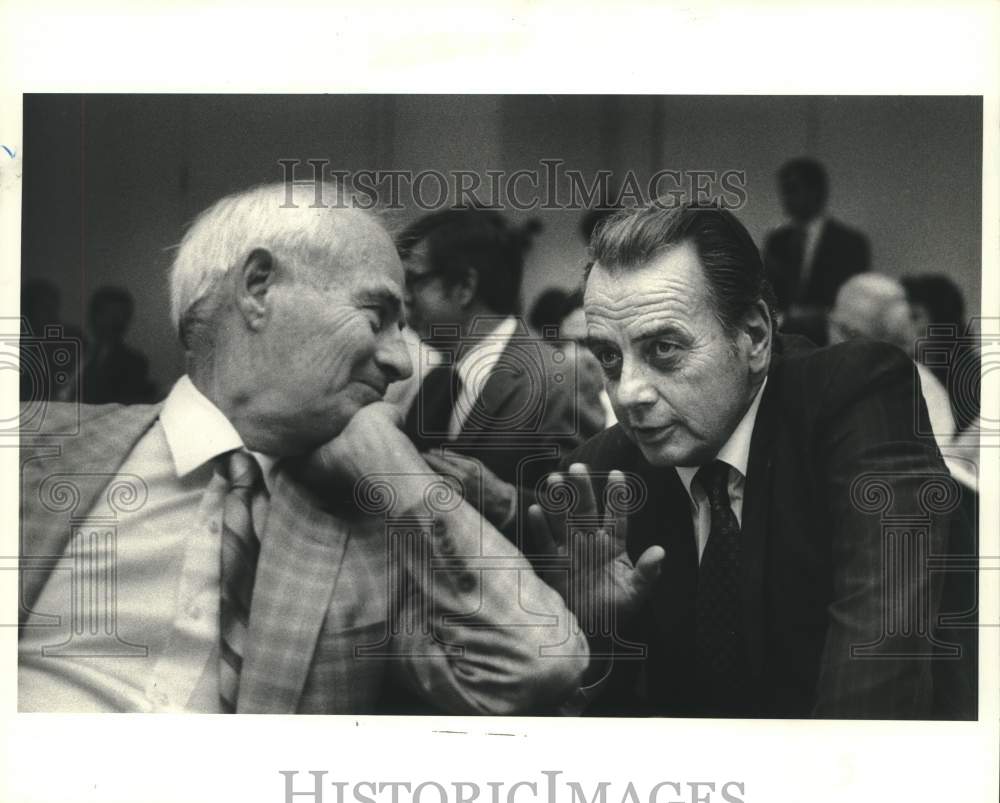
(500, 640)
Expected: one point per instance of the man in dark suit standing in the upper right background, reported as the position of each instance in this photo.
(809, 258)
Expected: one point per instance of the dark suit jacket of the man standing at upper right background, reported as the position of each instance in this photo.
(840, 253)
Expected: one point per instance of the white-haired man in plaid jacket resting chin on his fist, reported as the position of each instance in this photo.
(267, 539)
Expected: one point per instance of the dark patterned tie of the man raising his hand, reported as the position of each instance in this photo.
(718, 641)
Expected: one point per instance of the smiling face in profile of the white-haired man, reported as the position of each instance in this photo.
(333, 341)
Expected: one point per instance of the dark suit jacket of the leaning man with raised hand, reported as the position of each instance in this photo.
(835, 468)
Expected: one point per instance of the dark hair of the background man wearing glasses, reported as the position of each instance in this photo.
(460, 239)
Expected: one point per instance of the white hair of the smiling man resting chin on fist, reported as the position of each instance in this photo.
(284, 218)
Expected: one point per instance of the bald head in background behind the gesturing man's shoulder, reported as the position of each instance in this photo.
(872, 305)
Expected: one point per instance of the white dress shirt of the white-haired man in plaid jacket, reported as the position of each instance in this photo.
(166, 558)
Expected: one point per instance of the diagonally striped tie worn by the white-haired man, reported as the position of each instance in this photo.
(240, 548)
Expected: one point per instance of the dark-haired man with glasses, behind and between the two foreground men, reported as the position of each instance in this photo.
(499, 395)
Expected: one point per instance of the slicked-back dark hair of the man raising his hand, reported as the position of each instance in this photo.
(733, 268)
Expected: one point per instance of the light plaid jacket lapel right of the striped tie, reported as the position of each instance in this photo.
(301, 555)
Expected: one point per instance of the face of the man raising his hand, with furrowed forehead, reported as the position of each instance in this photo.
(678, 383)
